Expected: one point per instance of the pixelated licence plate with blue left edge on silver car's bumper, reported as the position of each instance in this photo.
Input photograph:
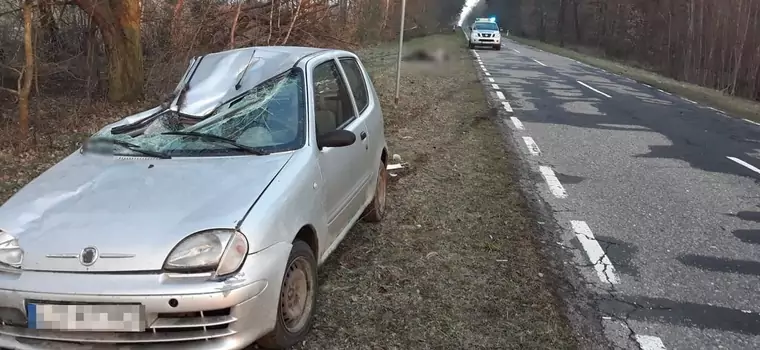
(92, 318)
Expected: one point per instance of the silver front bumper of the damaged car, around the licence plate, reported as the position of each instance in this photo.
(185, 312)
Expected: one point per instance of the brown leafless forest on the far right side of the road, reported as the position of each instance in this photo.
(711, 43)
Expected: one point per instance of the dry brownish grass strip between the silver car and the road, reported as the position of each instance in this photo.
(456, 264)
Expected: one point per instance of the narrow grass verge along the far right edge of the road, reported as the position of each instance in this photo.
(735, 106)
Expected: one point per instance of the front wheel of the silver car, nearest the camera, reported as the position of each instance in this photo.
(299, 285)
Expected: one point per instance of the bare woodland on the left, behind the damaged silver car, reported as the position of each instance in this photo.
(60, 52)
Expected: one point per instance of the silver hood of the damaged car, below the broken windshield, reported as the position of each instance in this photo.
(135, 209)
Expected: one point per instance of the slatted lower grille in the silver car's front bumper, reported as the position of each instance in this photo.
(166, 328)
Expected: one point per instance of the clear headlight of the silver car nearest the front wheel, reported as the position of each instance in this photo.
(221, 251)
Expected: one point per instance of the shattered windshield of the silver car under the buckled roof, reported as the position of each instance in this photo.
(268, 118)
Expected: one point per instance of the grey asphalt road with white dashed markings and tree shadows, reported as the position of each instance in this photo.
(656, 197)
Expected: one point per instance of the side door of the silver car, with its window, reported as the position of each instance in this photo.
(343, 168)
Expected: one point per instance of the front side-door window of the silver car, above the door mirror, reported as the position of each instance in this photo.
(332, 102)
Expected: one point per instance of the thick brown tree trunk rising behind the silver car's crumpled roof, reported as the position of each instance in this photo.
(119, 24)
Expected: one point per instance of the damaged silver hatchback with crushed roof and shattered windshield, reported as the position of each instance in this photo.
(199, 224)
